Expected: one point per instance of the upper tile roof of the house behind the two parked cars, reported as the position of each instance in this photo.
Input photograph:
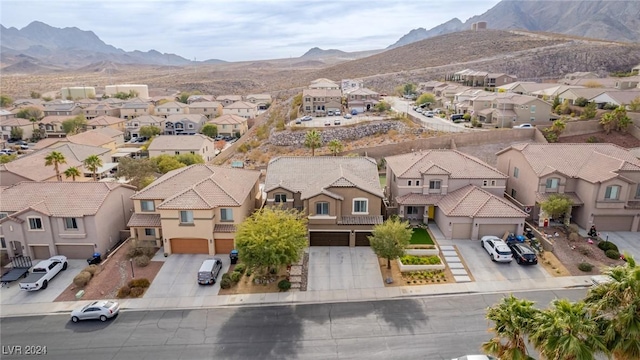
(455, 163)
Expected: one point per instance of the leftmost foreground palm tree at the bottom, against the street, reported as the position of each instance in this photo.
(514, 320)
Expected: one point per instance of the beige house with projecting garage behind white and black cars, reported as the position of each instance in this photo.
(463, 195)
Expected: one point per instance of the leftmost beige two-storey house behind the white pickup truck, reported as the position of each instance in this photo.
(74, 219)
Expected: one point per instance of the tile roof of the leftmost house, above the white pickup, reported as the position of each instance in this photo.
(59, 199)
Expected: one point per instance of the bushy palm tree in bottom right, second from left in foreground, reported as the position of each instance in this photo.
(567, 331)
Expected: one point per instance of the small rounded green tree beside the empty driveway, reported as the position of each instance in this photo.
(390, 238)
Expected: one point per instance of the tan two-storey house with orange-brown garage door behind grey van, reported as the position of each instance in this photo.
(195, 209)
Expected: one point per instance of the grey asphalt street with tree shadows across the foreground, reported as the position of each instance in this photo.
(437, 327)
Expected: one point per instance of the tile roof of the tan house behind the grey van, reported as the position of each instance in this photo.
(201, 187)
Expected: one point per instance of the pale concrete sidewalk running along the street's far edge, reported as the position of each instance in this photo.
(306, 297)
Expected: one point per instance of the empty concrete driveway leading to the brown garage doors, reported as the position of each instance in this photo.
(343, 268)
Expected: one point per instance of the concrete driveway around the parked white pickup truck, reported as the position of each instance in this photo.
(13, 294)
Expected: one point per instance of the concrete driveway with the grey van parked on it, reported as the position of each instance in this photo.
(179, 274)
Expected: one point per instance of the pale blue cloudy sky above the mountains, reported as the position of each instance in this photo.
(239, 30)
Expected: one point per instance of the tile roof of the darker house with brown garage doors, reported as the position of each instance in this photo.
(318, 174)
